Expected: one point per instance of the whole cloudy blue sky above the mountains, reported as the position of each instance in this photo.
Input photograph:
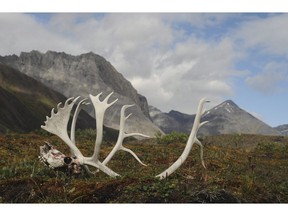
(173, 59)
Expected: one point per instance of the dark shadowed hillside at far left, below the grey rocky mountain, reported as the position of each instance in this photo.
(25, 102)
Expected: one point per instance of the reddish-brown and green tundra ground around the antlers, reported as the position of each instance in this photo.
(240, 168)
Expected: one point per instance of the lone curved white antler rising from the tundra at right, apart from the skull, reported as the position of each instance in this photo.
(191, 140)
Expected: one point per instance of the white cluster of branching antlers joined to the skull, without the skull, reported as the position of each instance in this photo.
(58, 122)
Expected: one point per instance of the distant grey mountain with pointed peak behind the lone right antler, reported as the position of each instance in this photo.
(226, 118)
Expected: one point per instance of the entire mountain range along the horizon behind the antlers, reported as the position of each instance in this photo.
(33, 82)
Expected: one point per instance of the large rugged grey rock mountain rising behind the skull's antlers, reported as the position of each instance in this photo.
(83, 75)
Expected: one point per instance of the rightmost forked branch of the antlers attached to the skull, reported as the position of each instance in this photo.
(122, 135)
